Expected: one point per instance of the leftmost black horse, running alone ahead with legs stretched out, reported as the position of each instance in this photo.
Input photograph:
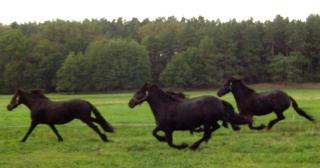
(45, 111)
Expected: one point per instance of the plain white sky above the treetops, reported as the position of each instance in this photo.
(23, 11)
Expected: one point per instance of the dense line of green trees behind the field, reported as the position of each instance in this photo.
(102, 55)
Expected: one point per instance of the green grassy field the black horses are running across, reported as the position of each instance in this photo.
(294, 142)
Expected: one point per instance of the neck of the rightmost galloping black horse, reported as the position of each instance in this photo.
(242, 93)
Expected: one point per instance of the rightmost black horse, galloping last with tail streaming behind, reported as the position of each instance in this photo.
(251, 103)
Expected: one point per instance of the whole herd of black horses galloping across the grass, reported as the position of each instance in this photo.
(172, 111)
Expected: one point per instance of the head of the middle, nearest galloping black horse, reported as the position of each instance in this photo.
(140, 96)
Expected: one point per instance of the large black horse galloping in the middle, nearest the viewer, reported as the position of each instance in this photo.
(174, 113)
